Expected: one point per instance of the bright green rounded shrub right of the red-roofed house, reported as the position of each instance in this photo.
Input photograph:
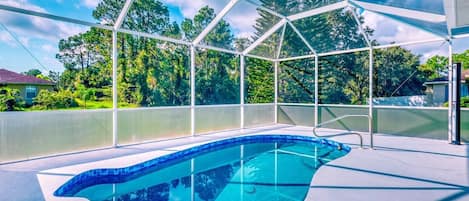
(47, 100)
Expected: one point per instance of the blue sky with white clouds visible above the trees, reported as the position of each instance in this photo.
(35, 40)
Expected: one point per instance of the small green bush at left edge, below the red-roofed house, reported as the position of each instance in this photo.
(10, 100)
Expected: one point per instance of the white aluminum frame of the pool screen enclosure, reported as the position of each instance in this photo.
(372, 7)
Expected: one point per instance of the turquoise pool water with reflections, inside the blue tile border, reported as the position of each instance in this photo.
(270, 171)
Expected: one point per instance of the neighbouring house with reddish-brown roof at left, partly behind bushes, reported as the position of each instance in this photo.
(29, 86)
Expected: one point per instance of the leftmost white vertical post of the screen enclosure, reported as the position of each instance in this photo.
(114, 89)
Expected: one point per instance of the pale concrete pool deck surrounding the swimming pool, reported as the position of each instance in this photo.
(399, 168)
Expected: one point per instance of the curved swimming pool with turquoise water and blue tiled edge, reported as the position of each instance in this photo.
(259, 167)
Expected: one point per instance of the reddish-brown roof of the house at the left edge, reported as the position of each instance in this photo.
(10, 77)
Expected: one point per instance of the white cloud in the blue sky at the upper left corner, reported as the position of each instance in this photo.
(40, 35)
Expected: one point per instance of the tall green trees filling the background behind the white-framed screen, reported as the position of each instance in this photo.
(156, 73)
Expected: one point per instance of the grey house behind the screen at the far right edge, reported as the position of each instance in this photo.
(437, 90)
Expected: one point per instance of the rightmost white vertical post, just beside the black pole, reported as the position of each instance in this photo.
(450, 92)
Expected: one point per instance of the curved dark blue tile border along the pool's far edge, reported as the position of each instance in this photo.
(118, 175)
